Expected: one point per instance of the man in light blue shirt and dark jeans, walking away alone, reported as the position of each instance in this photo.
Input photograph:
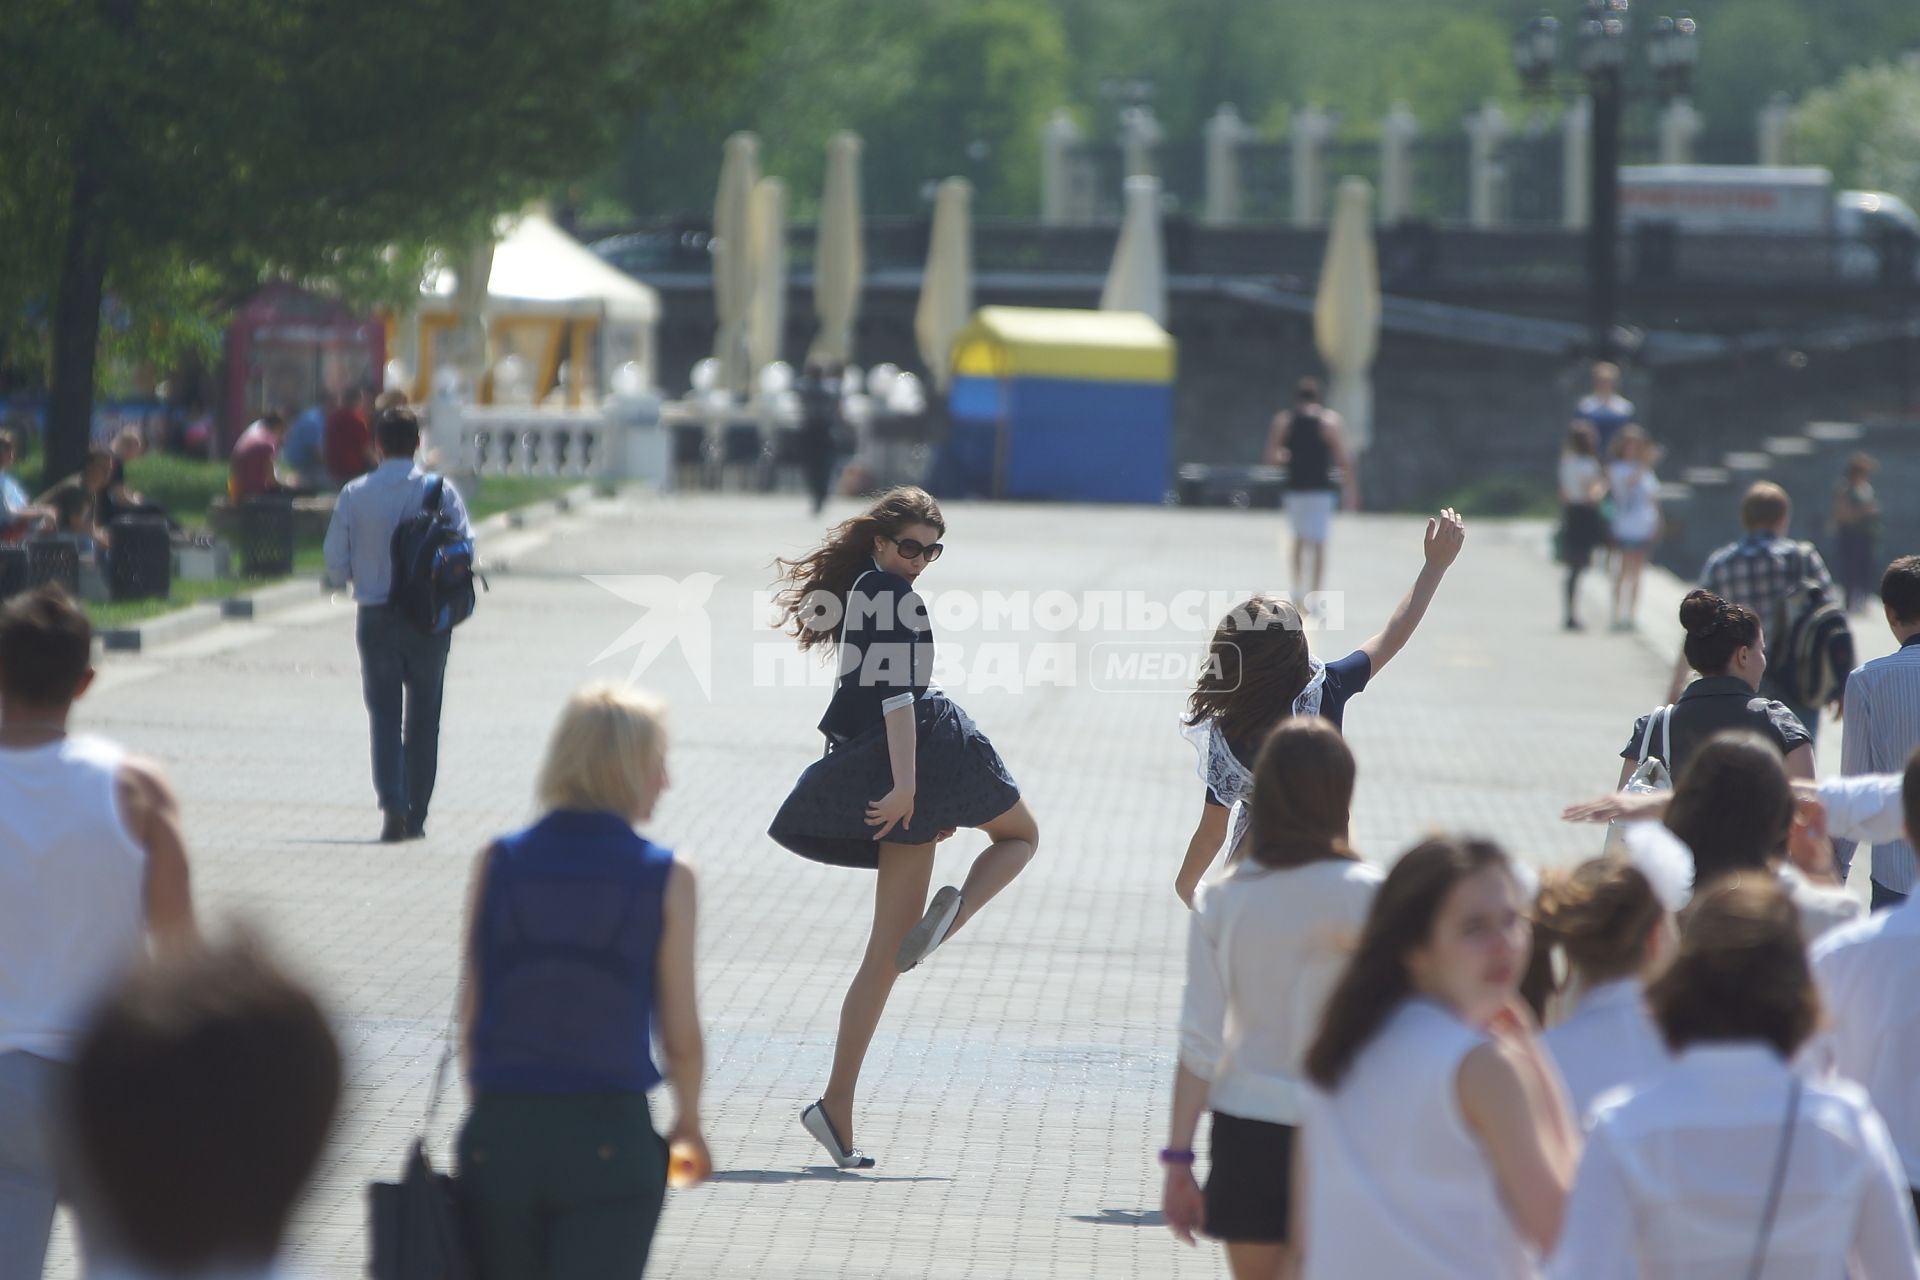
(402, 669)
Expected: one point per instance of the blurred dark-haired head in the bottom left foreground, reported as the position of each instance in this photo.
(201, 1104)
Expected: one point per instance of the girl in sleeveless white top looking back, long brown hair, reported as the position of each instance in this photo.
(1437, 1135)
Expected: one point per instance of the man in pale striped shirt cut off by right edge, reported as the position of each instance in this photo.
(1883, 724)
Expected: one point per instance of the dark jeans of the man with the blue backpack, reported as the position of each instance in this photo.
(402, 675)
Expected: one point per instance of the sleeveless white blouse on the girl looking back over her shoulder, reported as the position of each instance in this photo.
(1397, 1183)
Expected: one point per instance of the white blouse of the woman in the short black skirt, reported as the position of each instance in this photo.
(1264, 951)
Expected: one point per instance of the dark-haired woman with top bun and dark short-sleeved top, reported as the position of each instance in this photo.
(1727, 648)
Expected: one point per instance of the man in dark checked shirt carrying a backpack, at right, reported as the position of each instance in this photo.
(1762, 571)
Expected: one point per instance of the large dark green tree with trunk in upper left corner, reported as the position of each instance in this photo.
(180, 153)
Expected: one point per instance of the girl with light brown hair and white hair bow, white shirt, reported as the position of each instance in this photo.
(1614, 934)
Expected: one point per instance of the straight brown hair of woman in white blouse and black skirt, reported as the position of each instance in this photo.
(1303, 795)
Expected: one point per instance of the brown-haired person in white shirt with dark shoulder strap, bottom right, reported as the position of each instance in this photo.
(1727, 1166)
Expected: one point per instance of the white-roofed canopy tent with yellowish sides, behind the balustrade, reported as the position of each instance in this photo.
(560, 321)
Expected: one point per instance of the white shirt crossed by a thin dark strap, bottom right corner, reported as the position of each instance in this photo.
(1675, 1179)
